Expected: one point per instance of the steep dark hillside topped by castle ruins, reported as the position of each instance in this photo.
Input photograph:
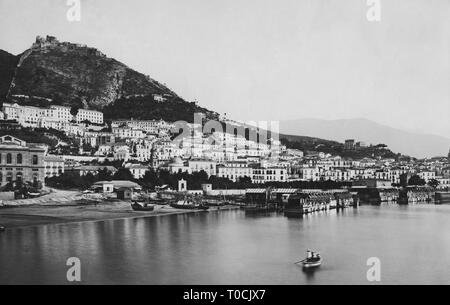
(62, 73)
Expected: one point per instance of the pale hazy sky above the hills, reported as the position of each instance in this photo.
(268, 59)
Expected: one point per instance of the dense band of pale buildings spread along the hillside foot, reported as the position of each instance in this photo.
(140, 146)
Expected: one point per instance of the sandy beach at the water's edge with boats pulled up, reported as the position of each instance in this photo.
(41, 215)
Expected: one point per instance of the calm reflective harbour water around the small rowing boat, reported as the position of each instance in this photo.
(229, 247)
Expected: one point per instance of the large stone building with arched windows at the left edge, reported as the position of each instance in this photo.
(21, 161)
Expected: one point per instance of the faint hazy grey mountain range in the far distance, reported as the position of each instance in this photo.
(401, 141)
